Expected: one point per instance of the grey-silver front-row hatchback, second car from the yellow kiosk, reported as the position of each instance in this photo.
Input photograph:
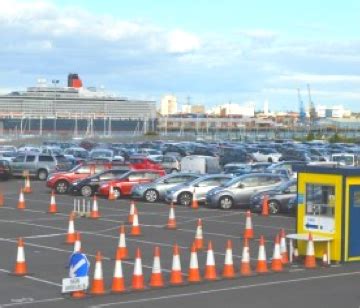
(237, 192)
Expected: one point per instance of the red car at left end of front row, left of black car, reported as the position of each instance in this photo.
(60, 181)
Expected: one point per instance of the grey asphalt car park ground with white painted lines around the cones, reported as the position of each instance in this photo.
(47, 257)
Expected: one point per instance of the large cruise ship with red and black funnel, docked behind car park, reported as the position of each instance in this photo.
(73, 109)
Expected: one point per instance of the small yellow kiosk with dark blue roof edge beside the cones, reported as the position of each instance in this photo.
(329, 207)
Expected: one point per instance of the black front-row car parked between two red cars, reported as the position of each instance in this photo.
(88, 186)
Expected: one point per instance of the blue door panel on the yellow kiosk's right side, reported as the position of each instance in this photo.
(354, 221)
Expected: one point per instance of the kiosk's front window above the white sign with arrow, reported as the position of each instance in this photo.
(320, 200)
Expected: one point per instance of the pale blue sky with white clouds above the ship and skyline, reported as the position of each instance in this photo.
(210, 51)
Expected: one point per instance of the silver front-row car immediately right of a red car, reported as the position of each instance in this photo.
(155, 191)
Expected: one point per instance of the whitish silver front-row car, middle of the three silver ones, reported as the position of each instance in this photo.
(183, 194)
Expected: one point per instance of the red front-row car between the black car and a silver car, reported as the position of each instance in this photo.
(123, 185)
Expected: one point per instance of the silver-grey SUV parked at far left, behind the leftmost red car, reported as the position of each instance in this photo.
(38, 165)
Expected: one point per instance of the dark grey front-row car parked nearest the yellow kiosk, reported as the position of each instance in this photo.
(278, 198)
